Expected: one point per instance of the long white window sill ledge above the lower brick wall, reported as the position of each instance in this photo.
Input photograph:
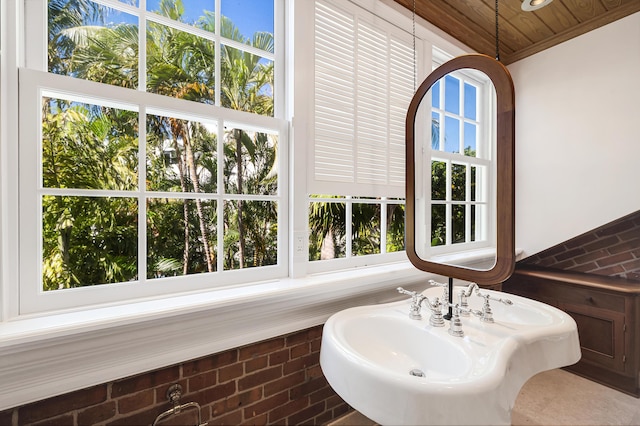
(51, 355)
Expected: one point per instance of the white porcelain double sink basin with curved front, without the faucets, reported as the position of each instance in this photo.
(396, 370)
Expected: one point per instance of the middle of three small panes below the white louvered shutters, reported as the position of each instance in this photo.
(365, 227)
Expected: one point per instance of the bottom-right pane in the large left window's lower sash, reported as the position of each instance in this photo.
(251, 234)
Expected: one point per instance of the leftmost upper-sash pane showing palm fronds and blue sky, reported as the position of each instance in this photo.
(93, 42)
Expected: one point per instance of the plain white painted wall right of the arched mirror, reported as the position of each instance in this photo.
(577, 135)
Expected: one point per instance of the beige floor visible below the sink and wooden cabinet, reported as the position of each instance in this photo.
(556, 398)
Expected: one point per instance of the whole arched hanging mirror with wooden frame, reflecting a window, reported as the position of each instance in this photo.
(460, 174)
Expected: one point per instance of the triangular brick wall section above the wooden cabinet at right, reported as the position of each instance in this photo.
(611, 250)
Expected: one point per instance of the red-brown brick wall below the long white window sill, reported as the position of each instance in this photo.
(277, 381)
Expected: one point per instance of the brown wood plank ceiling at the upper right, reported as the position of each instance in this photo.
(521, 33)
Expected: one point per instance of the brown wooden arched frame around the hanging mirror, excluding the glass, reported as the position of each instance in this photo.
(505, 170)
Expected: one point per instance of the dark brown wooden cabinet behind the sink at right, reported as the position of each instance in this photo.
(607, 312)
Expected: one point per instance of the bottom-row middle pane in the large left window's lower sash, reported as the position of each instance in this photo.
(175, 241)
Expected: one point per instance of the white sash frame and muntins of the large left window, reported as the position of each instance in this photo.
(36, 83)
